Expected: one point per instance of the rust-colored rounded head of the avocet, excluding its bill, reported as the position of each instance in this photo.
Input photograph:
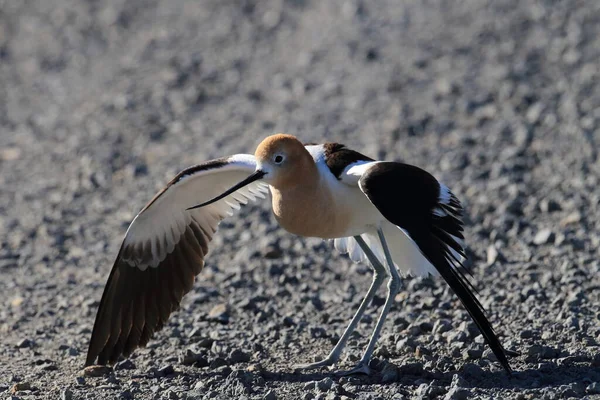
(284, 159)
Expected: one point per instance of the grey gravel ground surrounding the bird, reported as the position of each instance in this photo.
(103, 101)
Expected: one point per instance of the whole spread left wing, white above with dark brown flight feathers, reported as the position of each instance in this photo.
(163, 250)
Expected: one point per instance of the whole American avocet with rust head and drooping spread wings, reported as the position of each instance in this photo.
(396, 216)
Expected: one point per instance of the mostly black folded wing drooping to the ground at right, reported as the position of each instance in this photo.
(431, 216)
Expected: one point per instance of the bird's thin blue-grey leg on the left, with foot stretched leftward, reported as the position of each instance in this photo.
(378, 277)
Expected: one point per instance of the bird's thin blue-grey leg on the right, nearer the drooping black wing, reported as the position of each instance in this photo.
(393, 287)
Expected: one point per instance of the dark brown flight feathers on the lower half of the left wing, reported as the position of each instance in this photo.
(137, 303)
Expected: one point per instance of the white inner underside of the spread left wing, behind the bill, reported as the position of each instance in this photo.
(155, 231)
